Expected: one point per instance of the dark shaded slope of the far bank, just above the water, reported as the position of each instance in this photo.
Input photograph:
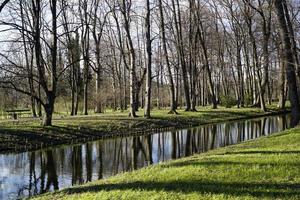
(84, 134)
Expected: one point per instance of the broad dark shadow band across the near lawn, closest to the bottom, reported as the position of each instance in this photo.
(201, 187)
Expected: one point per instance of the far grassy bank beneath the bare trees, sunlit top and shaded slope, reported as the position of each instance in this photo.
(28, 134)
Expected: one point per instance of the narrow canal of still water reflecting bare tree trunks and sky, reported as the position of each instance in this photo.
(31, 173)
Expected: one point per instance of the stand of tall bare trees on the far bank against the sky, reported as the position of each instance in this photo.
(122, 53)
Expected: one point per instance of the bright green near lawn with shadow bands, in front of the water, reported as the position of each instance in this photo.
(266, 168)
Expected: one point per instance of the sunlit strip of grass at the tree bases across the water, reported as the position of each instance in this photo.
(118, 120)
